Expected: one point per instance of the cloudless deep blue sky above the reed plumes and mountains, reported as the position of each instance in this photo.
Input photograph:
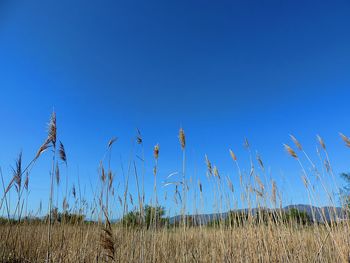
(222, 70)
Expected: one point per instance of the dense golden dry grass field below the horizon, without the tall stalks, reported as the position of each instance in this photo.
(245, 244)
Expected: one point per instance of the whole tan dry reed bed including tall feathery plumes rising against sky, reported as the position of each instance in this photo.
(144, 235)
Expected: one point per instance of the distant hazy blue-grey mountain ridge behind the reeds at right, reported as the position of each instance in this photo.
(317, 214)
